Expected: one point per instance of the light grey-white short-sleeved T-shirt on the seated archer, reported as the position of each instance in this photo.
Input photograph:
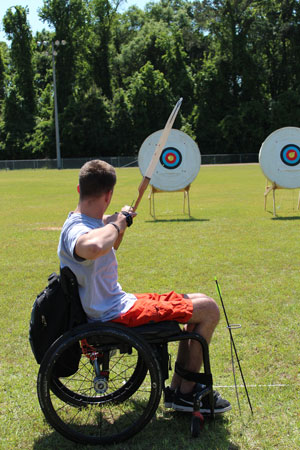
(101, 295)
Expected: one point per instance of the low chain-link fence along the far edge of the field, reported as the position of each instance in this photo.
(118, 161)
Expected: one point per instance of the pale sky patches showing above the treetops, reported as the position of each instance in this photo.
(34, 5)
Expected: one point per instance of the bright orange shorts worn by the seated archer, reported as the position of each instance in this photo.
(150, 308)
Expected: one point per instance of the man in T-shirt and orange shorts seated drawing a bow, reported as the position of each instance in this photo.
(87, 246)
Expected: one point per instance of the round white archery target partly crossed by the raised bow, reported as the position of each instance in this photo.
(179, 162)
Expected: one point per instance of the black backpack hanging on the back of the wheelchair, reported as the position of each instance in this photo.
(56, 310)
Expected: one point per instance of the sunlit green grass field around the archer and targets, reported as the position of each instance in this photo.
(254, 256)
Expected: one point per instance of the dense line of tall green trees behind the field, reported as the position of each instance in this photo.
(119, 74)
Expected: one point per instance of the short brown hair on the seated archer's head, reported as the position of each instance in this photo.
(96, 178)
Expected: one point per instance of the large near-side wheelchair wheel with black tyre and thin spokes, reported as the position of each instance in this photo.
(114, 393)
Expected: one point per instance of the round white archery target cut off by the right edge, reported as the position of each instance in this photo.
(279, 157)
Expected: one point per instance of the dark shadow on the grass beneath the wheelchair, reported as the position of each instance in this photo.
(172, 430)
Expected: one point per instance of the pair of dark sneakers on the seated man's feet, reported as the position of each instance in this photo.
(185, 403)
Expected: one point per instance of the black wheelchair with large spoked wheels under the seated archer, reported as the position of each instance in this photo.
(115, 386)
